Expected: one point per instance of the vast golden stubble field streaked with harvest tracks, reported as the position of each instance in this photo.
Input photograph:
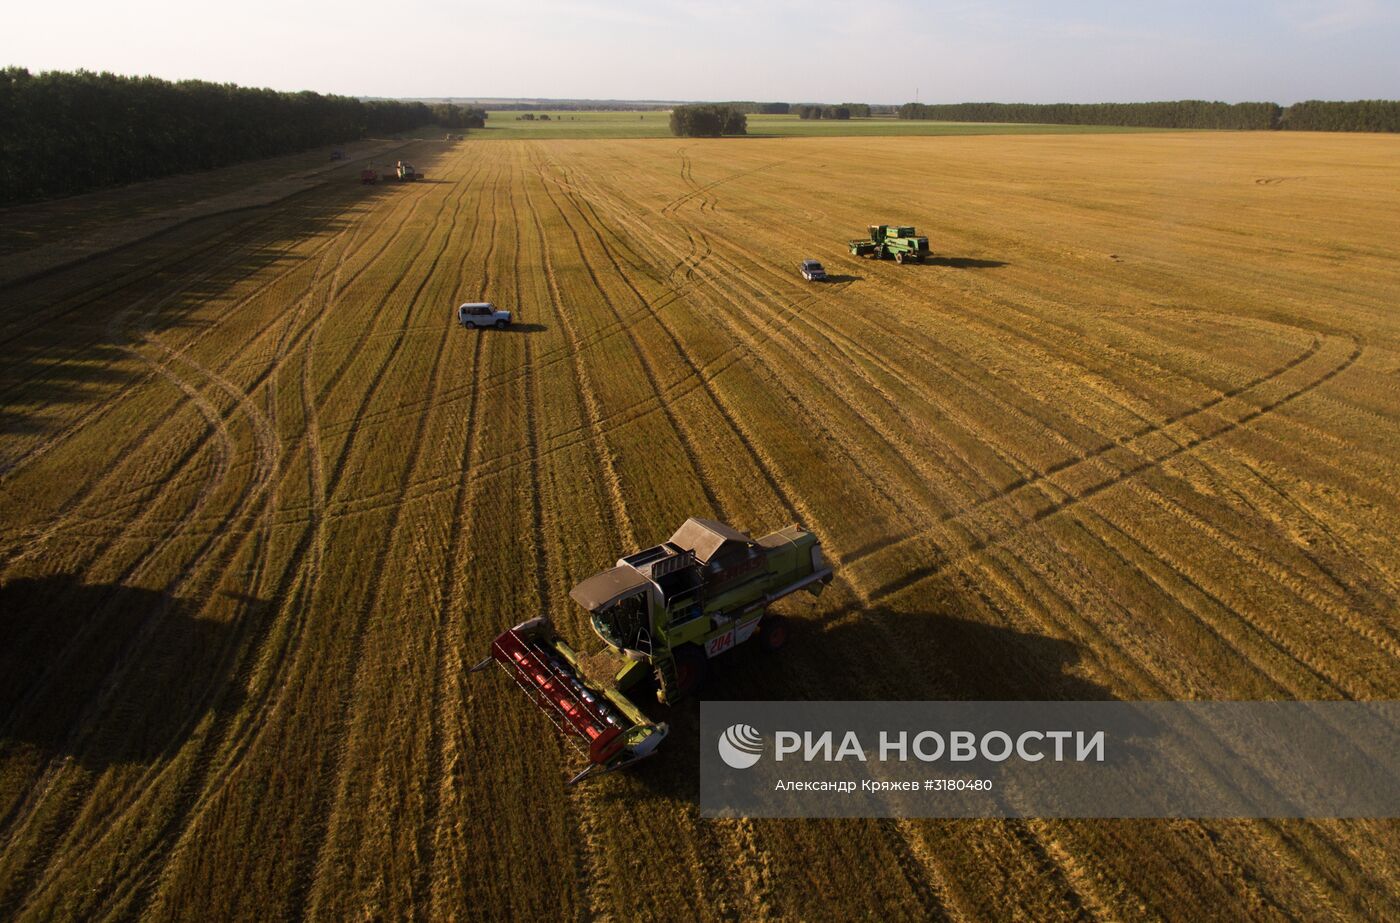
(1132, 436)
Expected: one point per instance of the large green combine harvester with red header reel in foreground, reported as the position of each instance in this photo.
(663, 613)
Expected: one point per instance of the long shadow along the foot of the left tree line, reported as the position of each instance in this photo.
(65, 334)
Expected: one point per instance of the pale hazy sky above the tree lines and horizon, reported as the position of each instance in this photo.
(859, 51)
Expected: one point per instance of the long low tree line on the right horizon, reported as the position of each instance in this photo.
(1366, 116)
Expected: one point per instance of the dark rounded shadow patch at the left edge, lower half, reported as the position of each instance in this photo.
(111, 674)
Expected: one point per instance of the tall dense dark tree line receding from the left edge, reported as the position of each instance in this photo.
(73, 132)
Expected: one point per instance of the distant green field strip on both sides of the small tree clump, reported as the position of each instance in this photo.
(507, 125)
